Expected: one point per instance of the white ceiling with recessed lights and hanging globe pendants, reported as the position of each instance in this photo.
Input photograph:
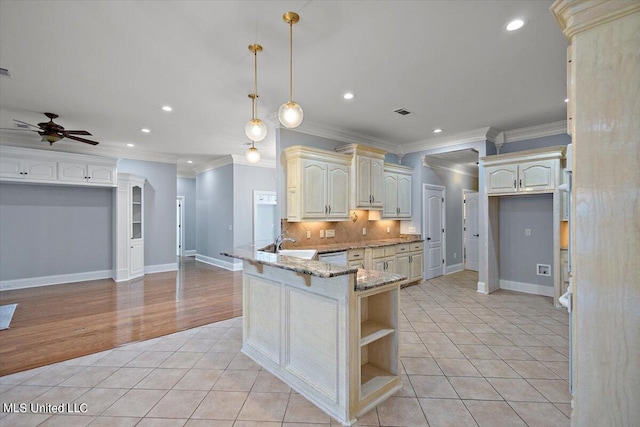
(108, 67)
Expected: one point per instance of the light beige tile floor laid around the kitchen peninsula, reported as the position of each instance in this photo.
(468, 359)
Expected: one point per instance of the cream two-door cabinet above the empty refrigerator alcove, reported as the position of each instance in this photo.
(534, 171)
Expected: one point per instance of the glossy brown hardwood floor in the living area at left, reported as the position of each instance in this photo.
(61, 322)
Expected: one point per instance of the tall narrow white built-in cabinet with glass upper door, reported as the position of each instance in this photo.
(129, 248)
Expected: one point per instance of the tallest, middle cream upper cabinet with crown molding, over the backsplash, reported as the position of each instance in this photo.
(367, 171)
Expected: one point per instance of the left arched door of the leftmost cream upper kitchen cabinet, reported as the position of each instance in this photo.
(314, 189)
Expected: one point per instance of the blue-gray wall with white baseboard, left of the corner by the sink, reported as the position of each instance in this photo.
(214, 212)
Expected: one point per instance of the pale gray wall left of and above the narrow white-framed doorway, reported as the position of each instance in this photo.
(246, 179)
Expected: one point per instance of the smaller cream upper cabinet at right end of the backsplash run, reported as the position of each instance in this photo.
(397, 191)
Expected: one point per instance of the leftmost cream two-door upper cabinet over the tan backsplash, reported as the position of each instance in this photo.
(317, 184)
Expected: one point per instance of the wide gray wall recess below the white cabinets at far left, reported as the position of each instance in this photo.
(51, 230)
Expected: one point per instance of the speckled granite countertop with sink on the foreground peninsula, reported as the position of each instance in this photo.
(365, 279)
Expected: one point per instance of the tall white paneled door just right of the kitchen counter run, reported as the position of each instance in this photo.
(433, 200)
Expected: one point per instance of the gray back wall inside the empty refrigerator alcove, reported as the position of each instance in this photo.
(519, 254)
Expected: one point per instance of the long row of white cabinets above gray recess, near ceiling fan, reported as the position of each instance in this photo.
(56, 167)
